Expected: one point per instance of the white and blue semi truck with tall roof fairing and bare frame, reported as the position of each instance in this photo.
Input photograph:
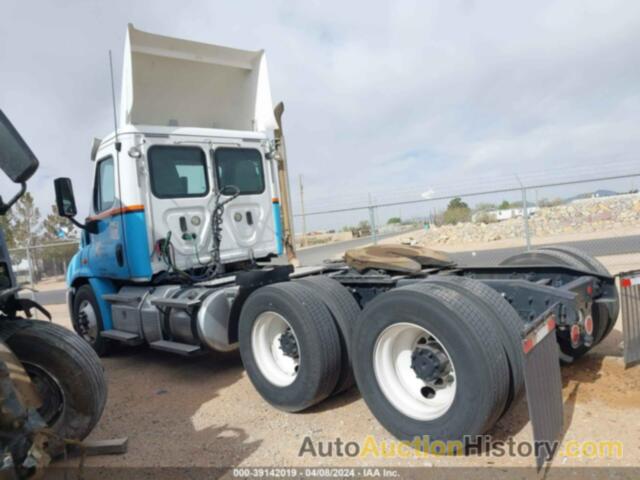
(190, 210)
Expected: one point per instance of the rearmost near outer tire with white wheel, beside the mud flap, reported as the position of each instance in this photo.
(439, 334)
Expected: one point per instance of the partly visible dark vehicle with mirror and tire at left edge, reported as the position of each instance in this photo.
(52, 385)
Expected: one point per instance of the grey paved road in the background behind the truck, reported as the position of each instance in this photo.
(316, 255)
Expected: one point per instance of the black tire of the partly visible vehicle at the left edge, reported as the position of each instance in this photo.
(68, 375)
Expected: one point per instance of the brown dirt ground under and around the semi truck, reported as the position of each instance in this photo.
(184, 412)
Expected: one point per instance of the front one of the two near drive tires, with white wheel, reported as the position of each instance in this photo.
(289, 346)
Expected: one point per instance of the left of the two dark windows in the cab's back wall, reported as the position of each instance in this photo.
(178, 172)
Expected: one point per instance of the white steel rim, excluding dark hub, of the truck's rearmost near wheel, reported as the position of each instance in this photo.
(398, 381)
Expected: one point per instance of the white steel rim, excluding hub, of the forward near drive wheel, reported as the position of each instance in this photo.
(277, 367)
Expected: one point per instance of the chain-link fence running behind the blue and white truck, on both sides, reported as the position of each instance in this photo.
(600, 216)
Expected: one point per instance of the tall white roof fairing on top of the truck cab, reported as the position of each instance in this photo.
(173, 82)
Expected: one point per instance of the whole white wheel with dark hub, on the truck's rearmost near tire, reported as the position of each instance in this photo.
(414, 371)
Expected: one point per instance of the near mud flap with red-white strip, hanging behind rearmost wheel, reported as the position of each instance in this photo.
(543, 384)
